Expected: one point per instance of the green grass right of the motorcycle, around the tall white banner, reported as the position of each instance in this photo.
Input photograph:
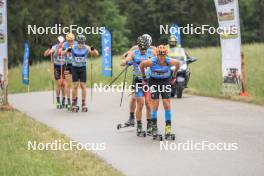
(206, 76)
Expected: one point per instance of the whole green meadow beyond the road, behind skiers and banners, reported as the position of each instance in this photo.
(206, 76)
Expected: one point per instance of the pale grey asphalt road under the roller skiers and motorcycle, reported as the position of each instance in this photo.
(196, 120)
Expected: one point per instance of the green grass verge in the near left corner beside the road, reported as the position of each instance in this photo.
(16, 129)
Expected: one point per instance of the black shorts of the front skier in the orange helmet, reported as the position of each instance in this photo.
(160, 87)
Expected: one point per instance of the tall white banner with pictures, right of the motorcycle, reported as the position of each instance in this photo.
(228, 19)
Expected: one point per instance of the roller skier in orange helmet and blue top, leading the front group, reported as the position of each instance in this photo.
(160, 78)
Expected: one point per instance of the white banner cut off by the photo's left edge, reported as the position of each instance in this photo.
(3, 34)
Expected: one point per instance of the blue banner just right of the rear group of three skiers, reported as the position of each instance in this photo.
(107, 53)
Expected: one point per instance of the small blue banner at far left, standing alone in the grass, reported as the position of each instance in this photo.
(25, 66)
